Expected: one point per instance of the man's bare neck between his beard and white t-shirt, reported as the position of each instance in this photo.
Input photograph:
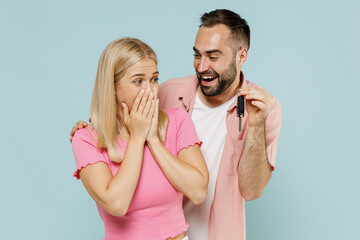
(219, 100)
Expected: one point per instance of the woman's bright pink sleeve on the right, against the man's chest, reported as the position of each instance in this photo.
(185, 131)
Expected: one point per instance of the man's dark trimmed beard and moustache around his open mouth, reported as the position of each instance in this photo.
(224, 80)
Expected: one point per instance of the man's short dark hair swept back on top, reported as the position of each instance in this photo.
(240, 31)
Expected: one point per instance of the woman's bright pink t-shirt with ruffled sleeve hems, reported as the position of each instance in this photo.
(155, 211)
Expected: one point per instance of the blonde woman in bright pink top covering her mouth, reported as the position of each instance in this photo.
(135, 160)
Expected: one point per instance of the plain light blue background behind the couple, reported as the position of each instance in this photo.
(306, 53)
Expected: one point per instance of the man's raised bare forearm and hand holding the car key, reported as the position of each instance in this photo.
(254, 170)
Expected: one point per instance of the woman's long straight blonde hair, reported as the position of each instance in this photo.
(116, 58)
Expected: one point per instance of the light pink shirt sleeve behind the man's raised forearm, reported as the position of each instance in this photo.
(273, 124)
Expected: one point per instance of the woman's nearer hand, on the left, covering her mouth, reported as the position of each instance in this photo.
(138, 120)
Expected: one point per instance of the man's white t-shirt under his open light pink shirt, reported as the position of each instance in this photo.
(210, 125)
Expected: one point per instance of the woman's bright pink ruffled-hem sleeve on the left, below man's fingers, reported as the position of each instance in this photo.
(85, 151)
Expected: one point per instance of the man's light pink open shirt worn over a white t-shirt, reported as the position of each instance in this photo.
(227, 214)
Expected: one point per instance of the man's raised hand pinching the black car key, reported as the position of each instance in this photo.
(257, 104)
